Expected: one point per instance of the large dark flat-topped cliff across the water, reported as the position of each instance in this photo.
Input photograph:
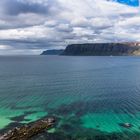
(103, 49)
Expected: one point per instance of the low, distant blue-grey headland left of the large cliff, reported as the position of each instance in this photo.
(52, 52)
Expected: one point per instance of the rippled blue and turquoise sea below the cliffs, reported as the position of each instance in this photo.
(90, 96)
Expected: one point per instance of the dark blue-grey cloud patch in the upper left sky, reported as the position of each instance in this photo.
(16, 7)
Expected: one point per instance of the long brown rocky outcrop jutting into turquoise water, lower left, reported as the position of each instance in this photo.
(28, 131)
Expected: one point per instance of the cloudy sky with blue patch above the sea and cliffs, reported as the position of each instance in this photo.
(31, 26)
